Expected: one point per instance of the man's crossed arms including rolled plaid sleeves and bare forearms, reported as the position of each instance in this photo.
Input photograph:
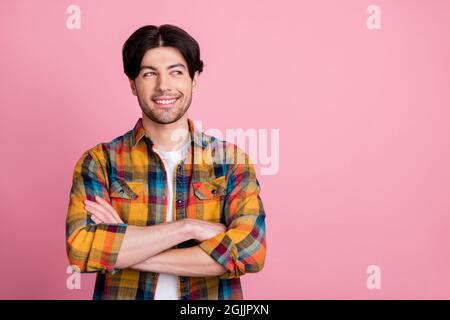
(109, 244)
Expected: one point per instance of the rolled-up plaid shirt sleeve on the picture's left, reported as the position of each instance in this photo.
(90, 247)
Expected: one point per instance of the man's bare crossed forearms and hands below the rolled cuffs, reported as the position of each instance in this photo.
(142, 247)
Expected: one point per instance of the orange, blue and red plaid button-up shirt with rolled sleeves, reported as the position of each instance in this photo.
(216, 183)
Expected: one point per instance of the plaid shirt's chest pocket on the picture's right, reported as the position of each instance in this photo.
(209, 197)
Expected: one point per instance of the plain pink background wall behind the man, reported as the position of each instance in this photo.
(363, 115)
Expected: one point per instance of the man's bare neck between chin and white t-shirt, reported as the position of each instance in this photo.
(161, 134)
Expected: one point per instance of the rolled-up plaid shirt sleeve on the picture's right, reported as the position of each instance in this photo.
(242, 248)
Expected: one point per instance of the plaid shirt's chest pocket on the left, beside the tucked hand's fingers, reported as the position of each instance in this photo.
(127, 197)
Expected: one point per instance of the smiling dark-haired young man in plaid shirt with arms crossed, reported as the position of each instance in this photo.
(165, 211)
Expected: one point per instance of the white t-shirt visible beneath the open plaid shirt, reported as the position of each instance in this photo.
(167, 286)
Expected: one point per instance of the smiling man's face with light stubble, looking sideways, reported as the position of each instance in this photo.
(163, 86)
